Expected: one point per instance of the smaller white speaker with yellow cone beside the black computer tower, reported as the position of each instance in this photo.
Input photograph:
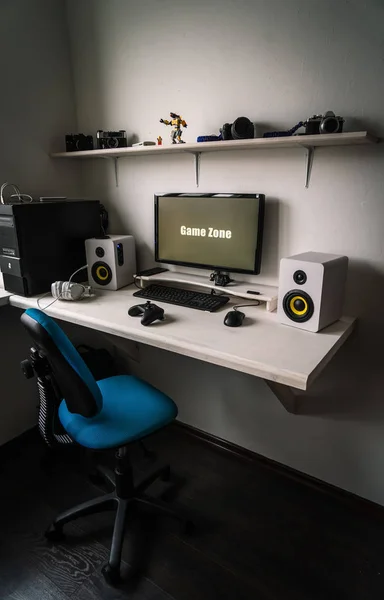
(111, 261)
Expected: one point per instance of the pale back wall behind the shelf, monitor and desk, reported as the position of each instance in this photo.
(276, 61)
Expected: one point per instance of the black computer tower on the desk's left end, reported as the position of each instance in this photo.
(43, 242)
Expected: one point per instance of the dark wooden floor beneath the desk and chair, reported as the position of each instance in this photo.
(259, 536)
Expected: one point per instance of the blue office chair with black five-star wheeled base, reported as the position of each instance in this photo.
(100, 415)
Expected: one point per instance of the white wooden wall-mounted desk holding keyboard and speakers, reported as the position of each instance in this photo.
(283, 356)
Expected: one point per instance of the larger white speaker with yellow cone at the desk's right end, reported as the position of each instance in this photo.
(311, 290)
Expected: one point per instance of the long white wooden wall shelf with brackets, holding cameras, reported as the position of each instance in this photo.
(308, 142)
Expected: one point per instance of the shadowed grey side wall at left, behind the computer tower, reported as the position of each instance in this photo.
(36, 110)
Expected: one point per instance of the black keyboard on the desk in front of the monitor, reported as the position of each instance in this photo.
(188, 298)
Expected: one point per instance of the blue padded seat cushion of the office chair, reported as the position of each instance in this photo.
(132, 409)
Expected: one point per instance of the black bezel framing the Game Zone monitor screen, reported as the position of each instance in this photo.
(260, 229)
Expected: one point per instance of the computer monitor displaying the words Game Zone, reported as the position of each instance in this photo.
(210, 231)
